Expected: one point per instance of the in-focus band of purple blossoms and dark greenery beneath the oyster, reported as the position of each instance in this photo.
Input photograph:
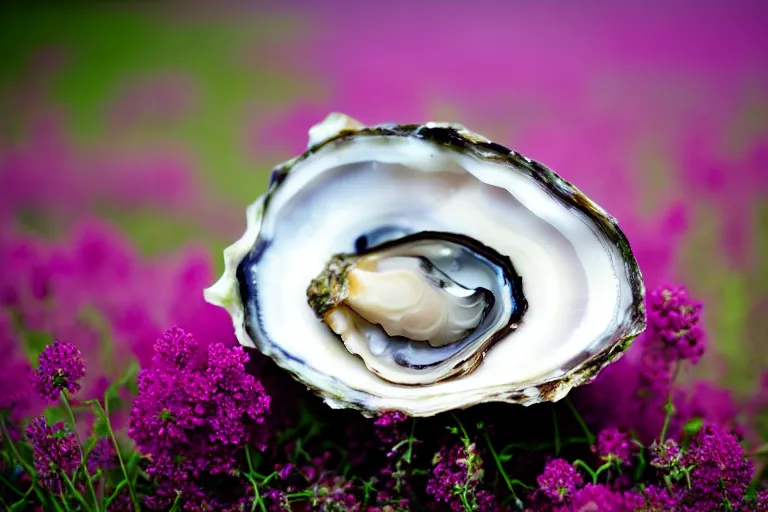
(206, 437)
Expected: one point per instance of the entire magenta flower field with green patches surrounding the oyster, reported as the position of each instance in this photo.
(132, 138)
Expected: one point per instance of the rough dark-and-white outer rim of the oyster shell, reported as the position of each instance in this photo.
(225, 292)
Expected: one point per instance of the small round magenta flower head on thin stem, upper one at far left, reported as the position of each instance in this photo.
(60, 367)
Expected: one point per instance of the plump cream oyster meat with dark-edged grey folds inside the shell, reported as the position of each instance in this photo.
(384, 300)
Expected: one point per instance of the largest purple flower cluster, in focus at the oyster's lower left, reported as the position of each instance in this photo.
(193, 420)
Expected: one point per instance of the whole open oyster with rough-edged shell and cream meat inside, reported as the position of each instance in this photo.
(424, 268)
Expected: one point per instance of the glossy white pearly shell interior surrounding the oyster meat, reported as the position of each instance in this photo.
(575, 281)
